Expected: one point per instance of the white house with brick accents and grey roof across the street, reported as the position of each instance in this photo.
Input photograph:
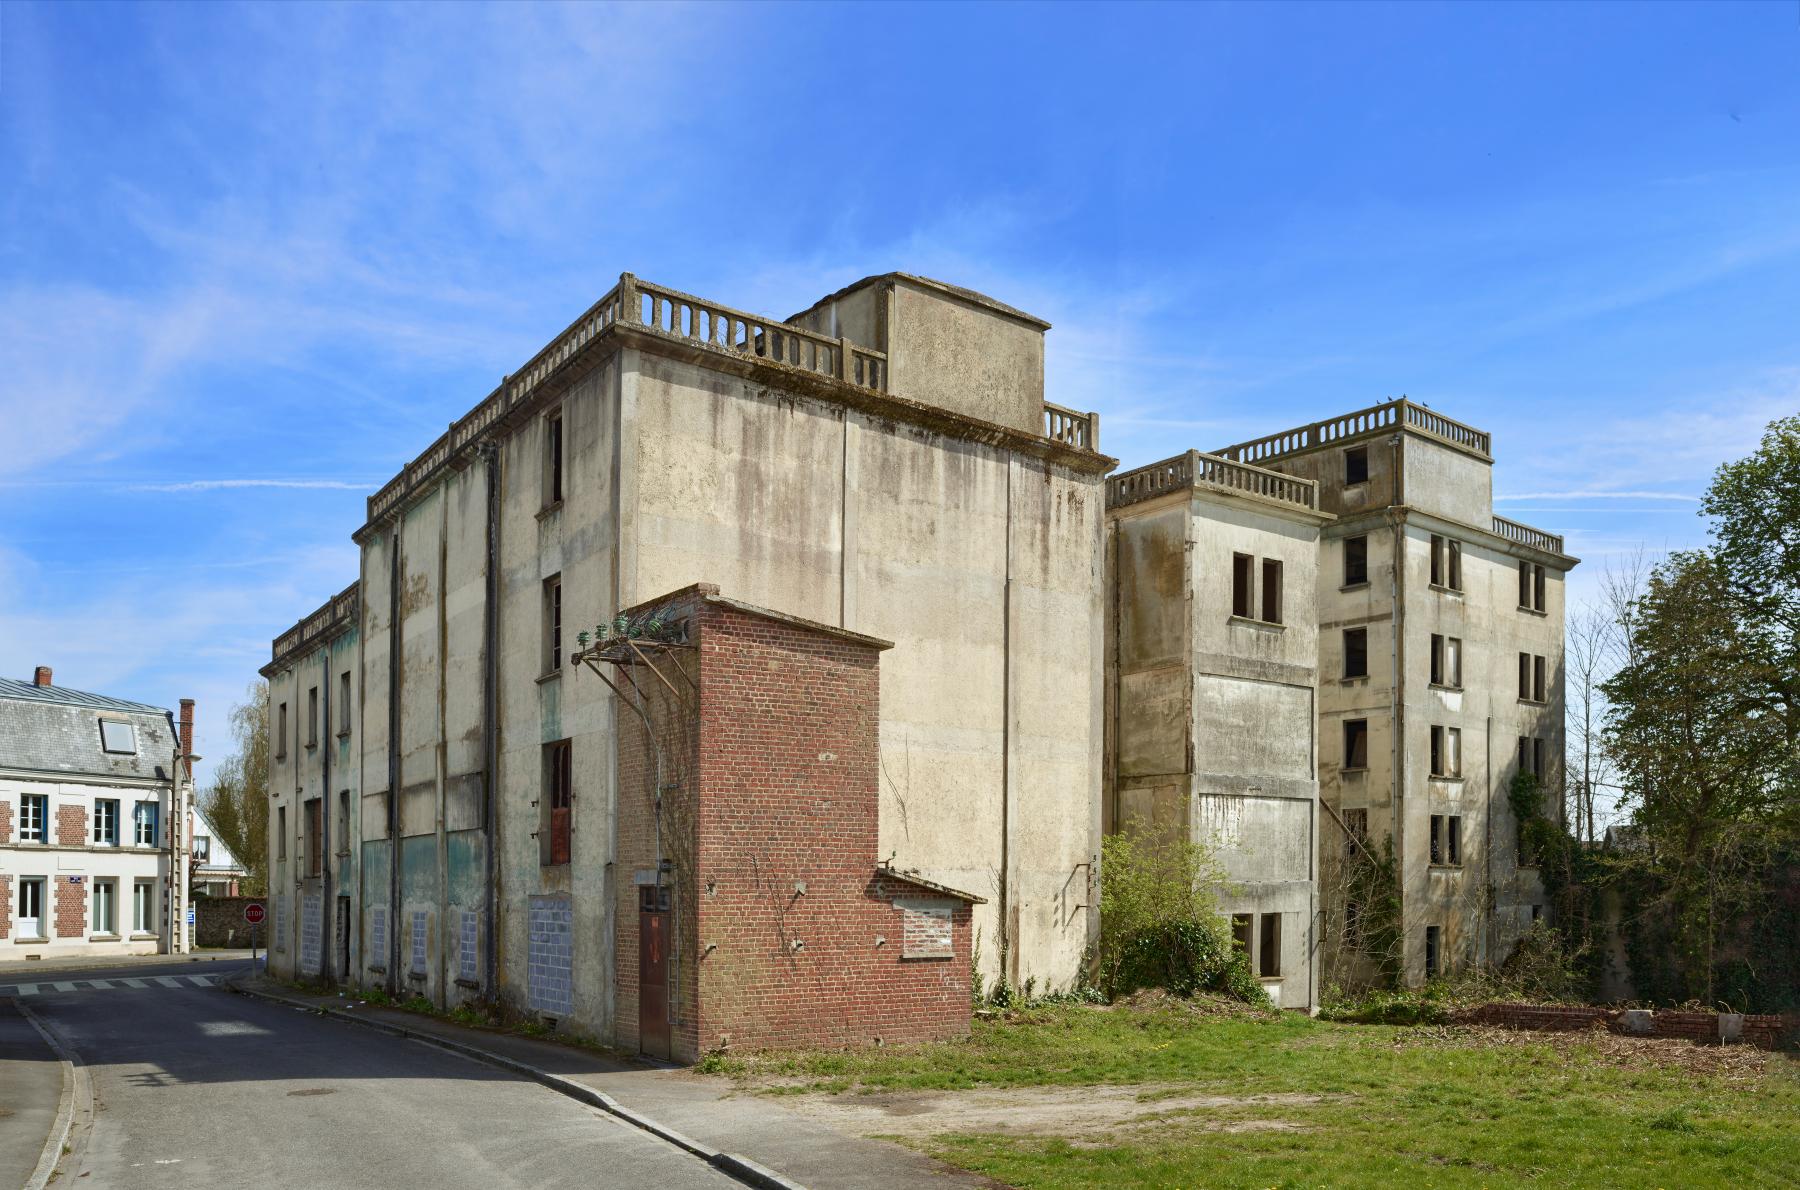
(93, 798)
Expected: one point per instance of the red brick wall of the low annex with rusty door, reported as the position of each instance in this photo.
(787, 930)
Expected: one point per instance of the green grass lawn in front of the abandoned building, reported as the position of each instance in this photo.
(1362, 1106)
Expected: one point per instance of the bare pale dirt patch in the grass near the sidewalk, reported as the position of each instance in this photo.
(1072, 1113)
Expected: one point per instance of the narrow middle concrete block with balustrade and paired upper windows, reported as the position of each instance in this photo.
(1210, 728)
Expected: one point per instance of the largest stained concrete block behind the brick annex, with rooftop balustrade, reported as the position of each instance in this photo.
(663, 442)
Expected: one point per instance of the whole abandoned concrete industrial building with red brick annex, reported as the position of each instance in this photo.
(728, 681)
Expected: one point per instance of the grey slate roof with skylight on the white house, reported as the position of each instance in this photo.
(58, 730)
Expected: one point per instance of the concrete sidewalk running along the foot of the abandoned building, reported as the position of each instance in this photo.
(694, 1106)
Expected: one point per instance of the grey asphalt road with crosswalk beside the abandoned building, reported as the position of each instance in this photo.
(201, 1088)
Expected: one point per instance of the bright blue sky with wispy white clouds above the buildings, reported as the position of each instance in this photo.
(255, 258)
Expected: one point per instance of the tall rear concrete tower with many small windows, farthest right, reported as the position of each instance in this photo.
(1426, 602)
